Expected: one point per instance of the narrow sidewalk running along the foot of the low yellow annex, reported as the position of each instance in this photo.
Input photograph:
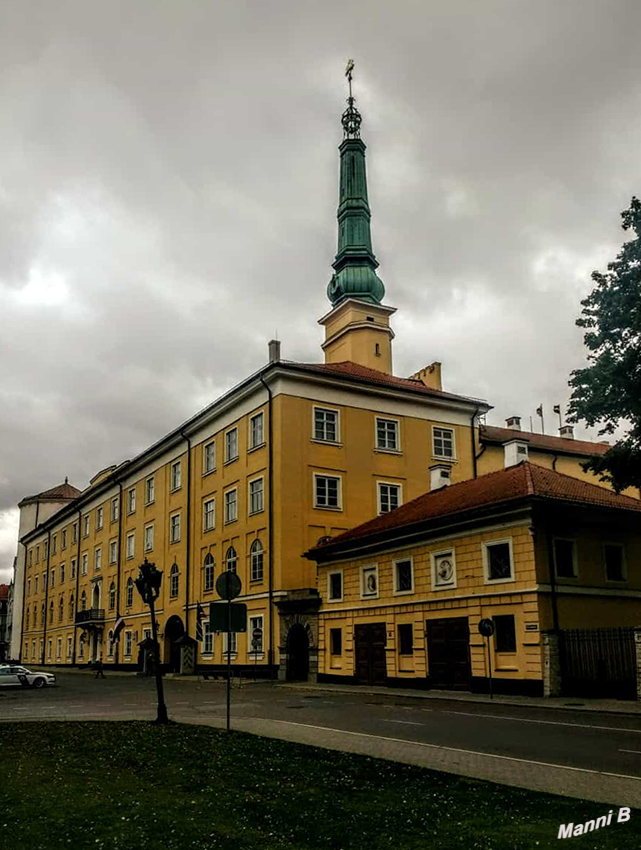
(612, 706)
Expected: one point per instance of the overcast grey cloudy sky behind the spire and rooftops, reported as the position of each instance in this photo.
(168, 192)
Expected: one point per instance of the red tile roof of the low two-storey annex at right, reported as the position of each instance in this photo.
(507, 485)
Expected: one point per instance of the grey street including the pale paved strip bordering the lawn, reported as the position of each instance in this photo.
(514, 744)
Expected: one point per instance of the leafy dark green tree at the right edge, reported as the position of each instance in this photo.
(608, 391)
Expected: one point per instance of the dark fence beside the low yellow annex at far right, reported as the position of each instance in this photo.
(598, 663)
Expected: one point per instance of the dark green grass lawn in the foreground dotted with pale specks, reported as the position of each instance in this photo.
(125, 786)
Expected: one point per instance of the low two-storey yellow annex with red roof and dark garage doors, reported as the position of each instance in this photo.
(534, 550)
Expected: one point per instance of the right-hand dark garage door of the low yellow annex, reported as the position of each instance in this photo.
(448, 653)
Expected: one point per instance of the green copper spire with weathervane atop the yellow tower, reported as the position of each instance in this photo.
(355, 263)
